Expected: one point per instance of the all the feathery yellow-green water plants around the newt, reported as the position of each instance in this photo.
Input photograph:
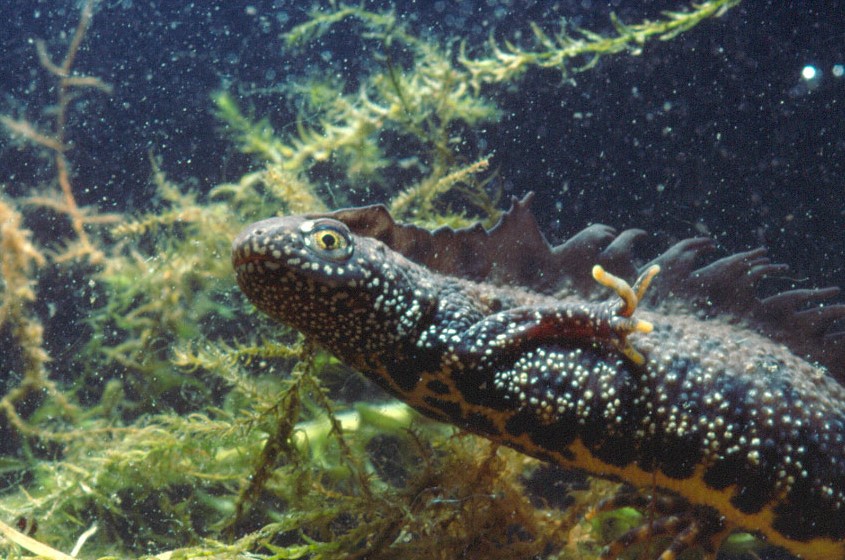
(185, 425)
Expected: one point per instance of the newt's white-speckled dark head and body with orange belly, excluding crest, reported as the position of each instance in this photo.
(722, 416)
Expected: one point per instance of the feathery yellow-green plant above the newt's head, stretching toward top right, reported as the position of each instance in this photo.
(414, 113)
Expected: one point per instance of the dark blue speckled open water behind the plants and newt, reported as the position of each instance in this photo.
(715, 131)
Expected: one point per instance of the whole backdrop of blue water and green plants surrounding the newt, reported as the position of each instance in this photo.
(146, 406)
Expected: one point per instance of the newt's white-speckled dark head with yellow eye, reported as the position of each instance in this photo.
(348, 292)
